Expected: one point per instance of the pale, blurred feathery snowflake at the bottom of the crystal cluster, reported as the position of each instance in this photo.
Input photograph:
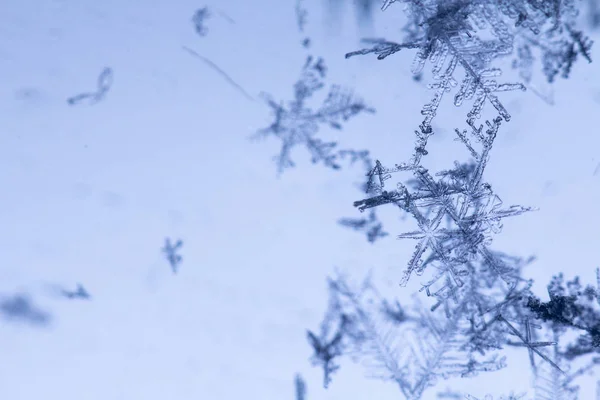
(413, 350)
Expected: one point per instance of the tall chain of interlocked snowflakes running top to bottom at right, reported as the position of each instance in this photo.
(485, 303)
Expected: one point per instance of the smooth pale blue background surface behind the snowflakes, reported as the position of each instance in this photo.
(89, 194)
